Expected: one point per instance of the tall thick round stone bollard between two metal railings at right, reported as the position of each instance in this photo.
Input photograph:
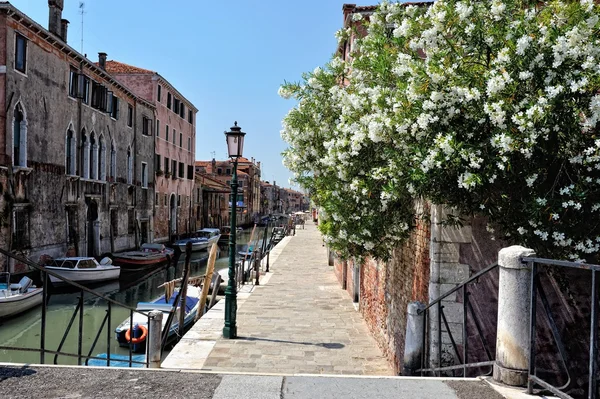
(514, 297)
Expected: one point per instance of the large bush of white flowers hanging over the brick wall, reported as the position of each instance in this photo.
(488, 106)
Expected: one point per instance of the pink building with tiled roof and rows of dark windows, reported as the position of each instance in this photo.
(175, 141)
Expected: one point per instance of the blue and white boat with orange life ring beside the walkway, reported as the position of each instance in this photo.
(140, 321)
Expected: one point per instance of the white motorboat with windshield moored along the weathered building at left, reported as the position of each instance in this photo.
(83, 270)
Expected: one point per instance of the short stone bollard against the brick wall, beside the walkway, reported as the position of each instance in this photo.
(413, 341)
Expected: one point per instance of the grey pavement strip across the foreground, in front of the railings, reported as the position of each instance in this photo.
(25, 381)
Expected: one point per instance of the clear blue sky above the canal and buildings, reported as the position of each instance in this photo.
(227, 57)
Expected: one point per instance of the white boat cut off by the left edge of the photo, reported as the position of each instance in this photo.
(17, 298)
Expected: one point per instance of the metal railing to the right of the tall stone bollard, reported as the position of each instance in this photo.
(537, 290)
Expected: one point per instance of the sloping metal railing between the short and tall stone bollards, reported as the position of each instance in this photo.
(460, 357)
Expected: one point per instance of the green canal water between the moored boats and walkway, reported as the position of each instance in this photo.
(24, 330)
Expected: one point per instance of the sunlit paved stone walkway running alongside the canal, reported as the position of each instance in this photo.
(298, 321)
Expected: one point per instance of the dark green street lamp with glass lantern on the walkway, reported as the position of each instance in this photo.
(235, 147)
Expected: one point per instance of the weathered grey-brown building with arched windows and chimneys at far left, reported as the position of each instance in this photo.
(76, 147)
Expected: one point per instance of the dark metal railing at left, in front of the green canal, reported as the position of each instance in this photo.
(78, 314)
